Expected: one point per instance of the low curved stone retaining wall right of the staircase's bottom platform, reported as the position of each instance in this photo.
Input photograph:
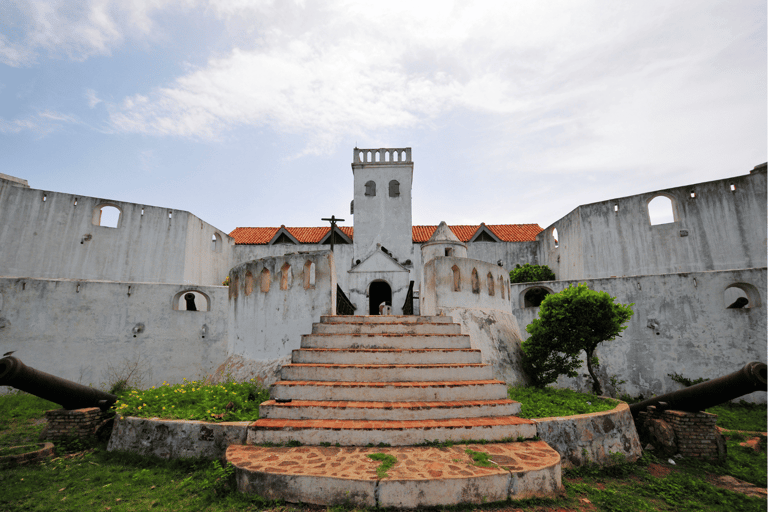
(593, 437)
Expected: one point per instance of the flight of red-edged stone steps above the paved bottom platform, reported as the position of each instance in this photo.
(398, 380)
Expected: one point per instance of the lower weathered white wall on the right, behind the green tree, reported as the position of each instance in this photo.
(680, 325)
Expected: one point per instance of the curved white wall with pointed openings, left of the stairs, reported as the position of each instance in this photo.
(265, 326)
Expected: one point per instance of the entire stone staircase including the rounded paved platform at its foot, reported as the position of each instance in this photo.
(391, 382)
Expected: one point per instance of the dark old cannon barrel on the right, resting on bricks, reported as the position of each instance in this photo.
(713, 392)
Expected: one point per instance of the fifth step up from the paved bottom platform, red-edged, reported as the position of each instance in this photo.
(386, 355)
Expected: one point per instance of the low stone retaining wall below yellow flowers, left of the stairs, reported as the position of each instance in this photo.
(175, 439)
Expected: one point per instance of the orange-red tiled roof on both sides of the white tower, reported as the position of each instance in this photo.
(505, 232)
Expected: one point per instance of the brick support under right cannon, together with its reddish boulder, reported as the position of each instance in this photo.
(692, 434)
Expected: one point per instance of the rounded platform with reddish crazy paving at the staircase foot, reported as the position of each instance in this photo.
(422, 476)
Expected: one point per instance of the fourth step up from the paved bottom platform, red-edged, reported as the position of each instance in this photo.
(386, 372)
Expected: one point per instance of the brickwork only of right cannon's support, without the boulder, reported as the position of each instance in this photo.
(695, 432)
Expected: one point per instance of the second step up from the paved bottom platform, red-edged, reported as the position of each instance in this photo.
(331, 409)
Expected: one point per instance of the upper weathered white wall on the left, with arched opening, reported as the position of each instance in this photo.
(52, 235)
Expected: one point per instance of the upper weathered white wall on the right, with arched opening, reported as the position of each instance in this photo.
(723, 229)
